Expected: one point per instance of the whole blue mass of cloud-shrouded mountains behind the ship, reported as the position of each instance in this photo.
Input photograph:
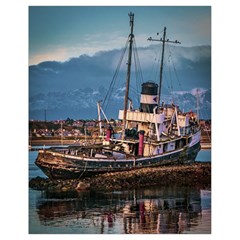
(58, 90)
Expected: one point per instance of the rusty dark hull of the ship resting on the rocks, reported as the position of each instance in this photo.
(66, 166)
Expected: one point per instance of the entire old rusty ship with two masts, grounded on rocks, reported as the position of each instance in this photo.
(155, 134)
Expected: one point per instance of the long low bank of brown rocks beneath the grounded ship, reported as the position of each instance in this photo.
(182, 175)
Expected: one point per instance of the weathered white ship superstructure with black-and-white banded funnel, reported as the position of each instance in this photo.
(164, 128)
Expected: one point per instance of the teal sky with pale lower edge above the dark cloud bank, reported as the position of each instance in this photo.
(59, 33)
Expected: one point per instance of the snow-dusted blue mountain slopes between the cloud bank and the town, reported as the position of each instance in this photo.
(82, 103)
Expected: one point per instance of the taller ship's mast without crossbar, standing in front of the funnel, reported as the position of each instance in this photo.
(131, 36)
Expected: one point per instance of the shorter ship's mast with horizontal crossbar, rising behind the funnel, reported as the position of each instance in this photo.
(163, 40)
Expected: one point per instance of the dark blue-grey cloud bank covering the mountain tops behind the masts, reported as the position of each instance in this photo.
(191, 64)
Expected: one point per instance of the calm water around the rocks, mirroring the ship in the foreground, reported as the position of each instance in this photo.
(153, 210)
